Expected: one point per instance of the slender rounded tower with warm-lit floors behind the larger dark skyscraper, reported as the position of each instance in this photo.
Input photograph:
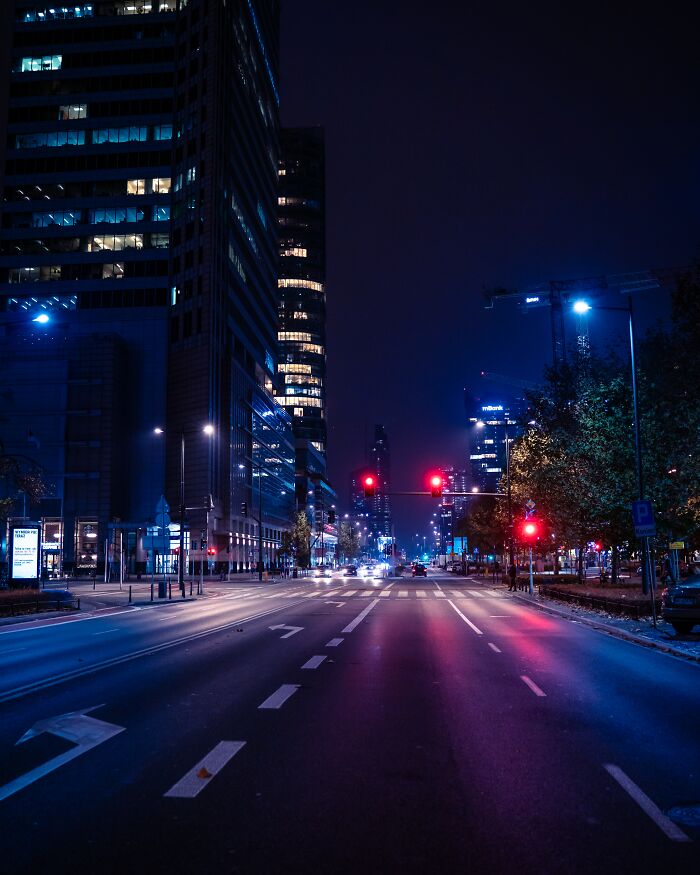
(302, 328)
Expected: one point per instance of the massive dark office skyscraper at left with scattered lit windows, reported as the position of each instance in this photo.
(139, 220)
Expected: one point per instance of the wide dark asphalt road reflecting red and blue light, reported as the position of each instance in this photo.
(409, 726)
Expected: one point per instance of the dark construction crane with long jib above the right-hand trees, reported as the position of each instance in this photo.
(555, 293)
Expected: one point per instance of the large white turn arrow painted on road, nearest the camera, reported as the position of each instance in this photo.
(86, 732)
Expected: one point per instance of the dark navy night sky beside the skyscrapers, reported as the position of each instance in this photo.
(471, 146)
